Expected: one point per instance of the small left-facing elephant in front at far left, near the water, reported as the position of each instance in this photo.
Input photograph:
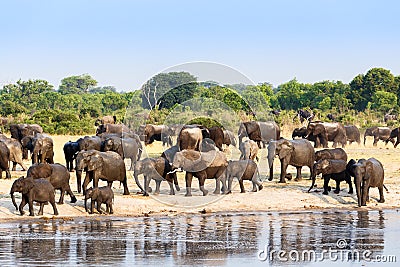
(39, 190)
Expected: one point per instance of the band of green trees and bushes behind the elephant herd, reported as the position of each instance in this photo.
(78, 102)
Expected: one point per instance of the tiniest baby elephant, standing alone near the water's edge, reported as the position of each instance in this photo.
(100, 195)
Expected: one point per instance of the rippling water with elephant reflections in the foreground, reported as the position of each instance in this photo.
(211, 240)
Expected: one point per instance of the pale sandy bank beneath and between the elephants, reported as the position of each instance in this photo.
(275, 197)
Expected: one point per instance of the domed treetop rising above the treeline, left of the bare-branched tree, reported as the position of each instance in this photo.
(77, 84)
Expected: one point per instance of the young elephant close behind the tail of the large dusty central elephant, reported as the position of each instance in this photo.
(242, 170)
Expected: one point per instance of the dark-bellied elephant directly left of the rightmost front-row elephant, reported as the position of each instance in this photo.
(332, 169)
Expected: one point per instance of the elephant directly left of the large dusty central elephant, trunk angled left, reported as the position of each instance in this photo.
(158, 169)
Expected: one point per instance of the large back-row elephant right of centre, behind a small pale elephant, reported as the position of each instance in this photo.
(259, 131)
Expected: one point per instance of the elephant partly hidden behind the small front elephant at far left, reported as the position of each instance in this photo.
(56, 174)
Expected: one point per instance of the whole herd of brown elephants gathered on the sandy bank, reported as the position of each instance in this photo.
(198, 151)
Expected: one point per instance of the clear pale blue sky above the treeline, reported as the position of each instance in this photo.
(123, 43)
